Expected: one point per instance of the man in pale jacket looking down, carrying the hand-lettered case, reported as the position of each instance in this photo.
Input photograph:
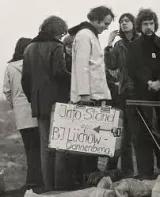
(88, 79)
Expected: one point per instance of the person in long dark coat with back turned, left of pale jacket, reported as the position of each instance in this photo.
(44, 80)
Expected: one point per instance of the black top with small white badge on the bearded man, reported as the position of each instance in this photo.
(144, 65)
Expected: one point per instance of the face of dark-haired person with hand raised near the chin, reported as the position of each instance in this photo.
(126, 25)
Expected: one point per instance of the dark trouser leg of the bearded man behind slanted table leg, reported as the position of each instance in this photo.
(144, 145)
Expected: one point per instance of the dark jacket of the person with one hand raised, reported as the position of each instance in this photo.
(116, 70)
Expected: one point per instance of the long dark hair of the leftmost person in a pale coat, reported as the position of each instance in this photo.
(21, 44)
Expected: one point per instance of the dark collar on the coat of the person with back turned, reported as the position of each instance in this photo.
(44, 37)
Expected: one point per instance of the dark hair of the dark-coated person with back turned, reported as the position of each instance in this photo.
(53, 26)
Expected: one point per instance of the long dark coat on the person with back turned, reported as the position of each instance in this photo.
(44, 77)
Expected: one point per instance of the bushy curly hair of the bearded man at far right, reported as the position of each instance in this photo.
(143, 15)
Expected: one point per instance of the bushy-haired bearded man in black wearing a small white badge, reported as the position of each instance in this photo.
(144, 68)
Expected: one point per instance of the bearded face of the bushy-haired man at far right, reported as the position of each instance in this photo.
(148, 27)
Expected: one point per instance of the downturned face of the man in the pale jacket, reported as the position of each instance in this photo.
(104, 24)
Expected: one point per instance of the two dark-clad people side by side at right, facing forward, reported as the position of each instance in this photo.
(133, 73)
